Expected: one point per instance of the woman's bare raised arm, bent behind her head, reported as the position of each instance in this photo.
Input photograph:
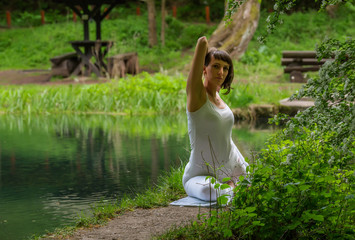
(196, 93)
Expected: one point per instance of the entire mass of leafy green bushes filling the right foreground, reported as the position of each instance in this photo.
(303, 182)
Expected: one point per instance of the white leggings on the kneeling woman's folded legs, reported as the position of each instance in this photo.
(201, 188)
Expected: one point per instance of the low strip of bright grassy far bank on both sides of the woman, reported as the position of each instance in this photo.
(141, 94)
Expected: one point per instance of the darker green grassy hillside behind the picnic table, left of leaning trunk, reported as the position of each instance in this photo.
(32, 47)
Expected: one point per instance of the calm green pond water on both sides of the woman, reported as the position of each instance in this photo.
(53, 168)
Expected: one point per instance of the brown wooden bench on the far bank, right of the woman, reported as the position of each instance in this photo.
(298, 62)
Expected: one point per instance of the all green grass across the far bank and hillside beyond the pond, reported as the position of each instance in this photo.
(259, 76)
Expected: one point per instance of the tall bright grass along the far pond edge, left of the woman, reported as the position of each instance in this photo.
(141, 94)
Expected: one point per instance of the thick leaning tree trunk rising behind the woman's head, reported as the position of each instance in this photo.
(235, 37)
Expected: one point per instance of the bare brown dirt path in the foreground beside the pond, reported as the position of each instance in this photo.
(140, 224)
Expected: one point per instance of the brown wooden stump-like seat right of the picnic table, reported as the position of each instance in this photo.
(122, 64)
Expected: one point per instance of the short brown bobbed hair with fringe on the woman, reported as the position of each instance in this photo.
(224, 56)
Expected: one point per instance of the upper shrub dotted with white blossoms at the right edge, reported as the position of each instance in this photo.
(334, 93)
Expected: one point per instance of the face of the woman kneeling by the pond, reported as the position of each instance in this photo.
(216, 71)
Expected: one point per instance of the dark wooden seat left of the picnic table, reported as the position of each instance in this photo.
(65, 64)
